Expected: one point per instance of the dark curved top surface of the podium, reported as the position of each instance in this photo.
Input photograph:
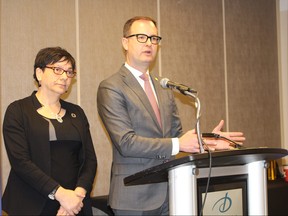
(235, 157)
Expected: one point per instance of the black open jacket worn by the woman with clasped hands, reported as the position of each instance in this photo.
(26, 138)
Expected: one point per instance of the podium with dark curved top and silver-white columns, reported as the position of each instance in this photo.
(237, 177)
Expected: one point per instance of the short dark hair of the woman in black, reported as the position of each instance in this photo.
(51, 55)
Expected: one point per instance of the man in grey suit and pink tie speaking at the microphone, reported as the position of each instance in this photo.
(142, 139)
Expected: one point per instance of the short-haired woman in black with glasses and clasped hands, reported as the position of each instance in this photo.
(49, 145)
